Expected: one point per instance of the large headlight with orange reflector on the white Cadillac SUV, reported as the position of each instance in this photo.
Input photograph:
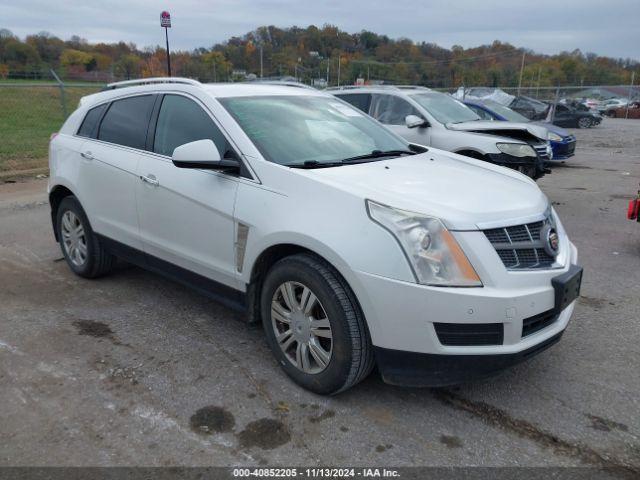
(433, 253)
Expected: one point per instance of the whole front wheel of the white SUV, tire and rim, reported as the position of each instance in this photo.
(314, 325)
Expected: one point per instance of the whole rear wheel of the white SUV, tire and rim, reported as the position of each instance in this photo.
(81, 248)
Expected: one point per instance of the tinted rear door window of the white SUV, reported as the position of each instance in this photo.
(126, 121)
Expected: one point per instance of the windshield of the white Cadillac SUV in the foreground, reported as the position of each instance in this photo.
(291, 130)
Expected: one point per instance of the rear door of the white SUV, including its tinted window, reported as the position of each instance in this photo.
(109, 162)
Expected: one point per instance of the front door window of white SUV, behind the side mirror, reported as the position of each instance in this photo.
(182, 121)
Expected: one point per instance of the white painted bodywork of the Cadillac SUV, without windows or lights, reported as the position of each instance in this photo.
(192, 218)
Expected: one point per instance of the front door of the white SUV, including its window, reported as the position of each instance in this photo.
(186, 215)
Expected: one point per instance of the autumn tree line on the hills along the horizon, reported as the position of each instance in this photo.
(309, 54)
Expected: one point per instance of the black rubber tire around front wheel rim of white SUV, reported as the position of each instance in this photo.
(352, 352)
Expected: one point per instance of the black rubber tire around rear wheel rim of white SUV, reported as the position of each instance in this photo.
(98, 261)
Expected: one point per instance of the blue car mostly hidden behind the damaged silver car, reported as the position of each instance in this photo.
(562, 142)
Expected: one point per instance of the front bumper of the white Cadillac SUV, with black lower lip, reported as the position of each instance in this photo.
(403, 318)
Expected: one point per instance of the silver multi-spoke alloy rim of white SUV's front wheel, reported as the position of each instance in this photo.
(302, 328)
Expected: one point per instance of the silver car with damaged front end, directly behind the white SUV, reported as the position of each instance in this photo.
(430, 118)
